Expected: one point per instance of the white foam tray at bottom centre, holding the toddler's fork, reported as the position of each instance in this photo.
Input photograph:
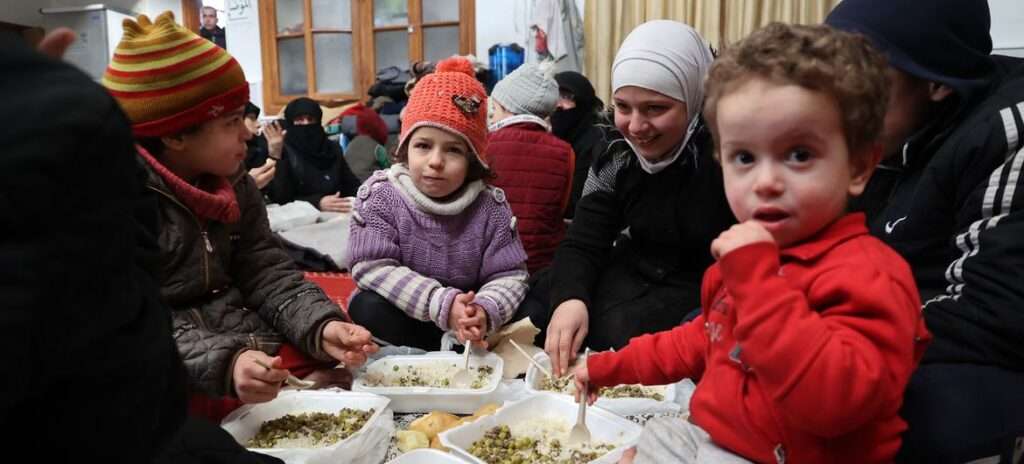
(605, 427)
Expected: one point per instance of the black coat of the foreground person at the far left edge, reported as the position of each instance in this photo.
(94, 373)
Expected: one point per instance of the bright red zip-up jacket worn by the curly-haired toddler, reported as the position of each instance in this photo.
(800, 355)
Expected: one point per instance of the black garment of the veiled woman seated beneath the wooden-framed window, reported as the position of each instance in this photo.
(298, 179)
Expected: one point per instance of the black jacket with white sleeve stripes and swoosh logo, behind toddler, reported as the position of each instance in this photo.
(954, 206)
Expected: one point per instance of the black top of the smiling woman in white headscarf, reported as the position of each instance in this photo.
(651, 279)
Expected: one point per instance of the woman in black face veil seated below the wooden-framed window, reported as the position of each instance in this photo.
(313, 168)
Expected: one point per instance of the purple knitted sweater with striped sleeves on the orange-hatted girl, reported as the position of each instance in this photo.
(420, 255)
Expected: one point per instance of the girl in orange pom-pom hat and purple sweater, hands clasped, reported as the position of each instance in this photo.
(433, 246)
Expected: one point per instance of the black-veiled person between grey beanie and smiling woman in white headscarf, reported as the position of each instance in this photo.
(578, 120)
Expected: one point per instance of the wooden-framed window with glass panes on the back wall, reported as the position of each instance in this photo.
(332, 50)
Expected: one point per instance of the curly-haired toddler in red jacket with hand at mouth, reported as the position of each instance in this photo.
(810, 327)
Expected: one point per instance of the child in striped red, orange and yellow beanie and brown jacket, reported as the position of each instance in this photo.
(243, 316)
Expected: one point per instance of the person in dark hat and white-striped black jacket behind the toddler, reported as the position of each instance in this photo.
(950, 198)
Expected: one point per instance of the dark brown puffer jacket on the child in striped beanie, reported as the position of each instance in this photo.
(232, 288)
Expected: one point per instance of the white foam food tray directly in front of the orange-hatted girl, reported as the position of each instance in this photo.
(423, 400)
